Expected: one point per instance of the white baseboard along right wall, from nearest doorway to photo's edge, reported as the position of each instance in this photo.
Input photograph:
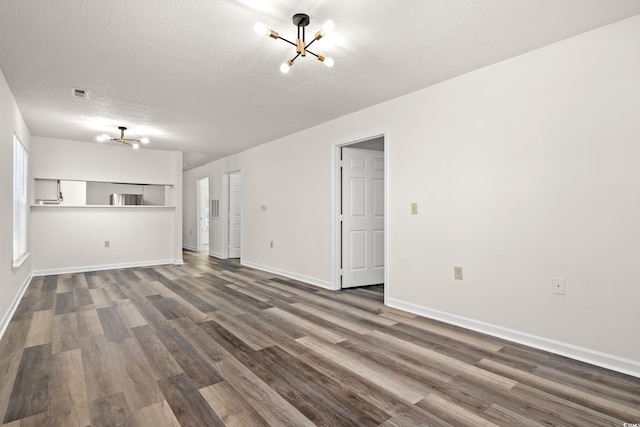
(594, 357)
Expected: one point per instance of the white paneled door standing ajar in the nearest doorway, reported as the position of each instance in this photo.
(362, 217)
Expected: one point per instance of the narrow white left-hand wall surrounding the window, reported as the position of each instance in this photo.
(12, 281)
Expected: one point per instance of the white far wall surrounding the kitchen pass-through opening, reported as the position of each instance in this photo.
(72, 238)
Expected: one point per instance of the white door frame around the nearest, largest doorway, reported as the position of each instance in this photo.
(336, 203)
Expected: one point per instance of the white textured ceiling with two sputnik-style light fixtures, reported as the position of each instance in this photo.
(194, 77)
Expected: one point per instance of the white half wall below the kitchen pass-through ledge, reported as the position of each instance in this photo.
(67, 239)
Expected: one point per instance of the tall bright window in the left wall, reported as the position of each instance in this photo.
(19, 201)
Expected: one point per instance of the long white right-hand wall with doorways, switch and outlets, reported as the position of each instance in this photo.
(523, 170)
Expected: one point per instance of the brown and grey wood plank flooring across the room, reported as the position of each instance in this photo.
(213, 343)
